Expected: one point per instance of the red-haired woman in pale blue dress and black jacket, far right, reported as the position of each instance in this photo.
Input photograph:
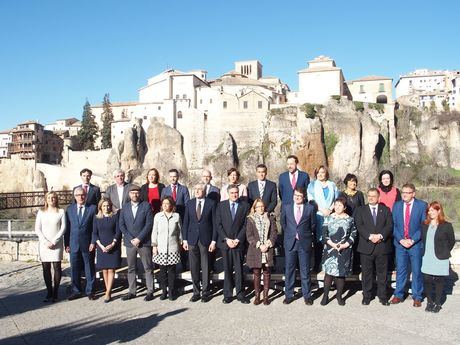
(438, 240)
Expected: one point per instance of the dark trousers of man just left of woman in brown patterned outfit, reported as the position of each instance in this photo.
(233, 262)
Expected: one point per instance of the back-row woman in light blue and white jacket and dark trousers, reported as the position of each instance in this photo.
(321, 192)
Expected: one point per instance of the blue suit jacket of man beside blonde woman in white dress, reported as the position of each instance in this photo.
(78, 235)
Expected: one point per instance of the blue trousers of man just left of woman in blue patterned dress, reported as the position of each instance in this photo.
(297, 253)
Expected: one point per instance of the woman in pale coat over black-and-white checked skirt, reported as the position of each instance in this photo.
(166, 242)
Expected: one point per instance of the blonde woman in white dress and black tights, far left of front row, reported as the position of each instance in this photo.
(50, 227)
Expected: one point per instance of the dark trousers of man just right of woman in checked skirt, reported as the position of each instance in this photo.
(199, 261)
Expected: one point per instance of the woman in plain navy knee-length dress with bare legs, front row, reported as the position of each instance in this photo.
(107, 236)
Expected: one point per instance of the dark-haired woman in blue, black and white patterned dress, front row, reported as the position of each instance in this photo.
(339, 234)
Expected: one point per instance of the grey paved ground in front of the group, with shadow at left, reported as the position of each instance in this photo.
(25, 319)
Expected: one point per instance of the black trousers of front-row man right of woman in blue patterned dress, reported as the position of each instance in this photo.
(372, 266)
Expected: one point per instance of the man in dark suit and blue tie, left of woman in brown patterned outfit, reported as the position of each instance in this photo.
(231, 228)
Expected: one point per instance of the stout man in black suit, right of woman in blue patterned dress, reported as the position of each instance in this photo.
(375, 227)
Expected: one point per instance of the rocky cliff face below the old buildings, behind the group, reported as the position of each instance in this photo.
(348, 137)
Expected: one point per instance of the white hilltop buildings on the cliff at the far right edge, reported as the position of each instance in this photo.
(426, 87)
